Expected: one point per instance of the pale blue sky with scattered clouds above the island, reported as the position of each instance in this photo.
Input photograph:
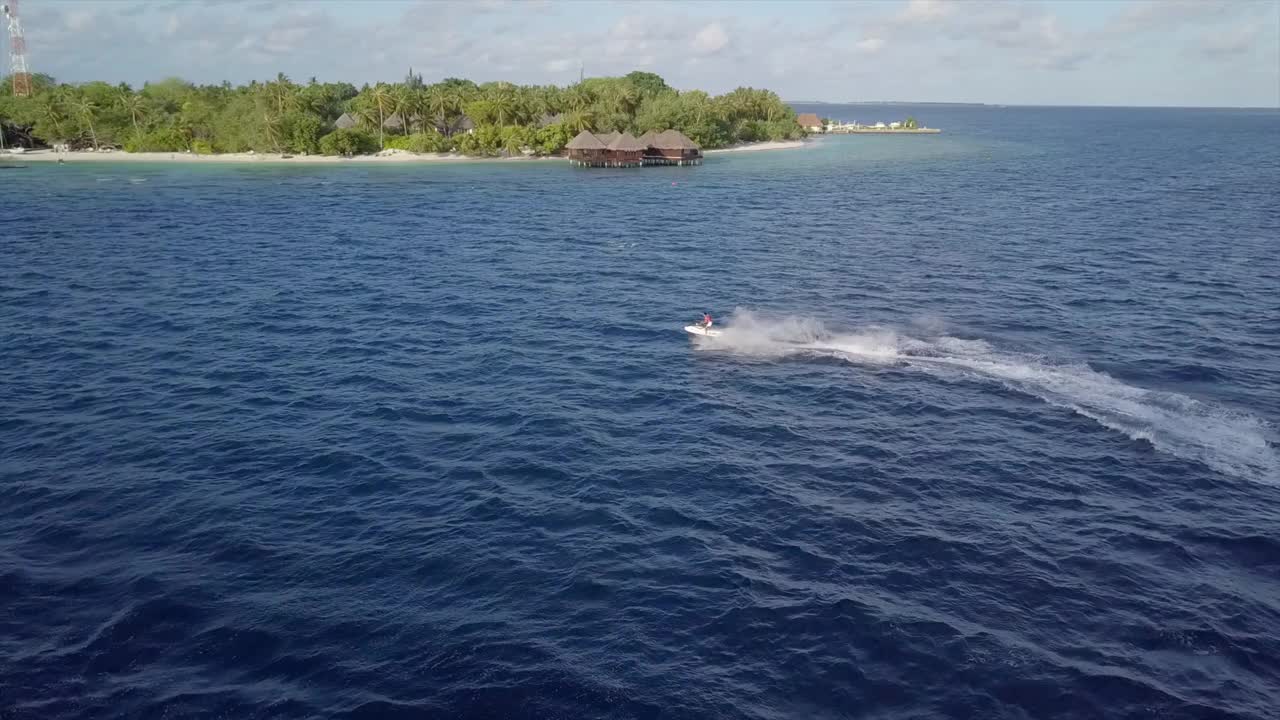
(1215, 53)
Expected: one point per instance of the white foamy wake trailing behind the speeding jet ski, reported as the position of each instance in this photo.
(1226, 440)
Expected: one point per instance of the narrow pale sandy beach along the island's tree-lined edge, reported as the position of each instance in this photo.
(276, 158)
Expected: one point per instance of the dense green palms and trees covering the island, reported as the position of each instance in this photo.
(460, 116)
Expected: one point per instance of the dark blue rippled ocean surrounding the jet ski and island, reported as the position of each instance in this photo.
(991, 432)
